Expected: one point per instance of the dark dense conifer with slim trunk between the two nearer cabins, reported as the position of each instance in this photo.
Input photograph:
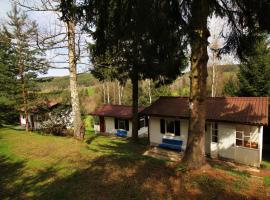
(140, 40)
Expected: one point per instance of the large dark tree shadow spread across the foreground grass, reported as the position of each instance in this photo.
(122, 174)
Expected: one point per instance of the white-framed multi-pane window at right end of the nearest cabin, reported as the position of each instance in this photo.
(246, 138)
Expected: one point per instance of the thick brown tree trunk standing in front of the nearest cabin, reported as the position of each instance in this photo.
(195, 152)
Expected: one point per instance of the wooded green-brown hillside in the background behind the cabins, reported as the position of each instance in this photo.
(93, 93)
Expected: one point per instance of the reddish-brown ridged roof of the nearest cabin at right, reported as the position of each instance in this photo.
(247, 110)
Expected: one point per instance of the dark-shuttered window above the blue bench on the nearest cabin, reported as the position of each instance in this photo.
(169, 126)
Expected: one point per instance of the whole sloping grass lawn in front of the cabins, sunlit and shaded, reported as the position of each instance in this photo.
(34, 166)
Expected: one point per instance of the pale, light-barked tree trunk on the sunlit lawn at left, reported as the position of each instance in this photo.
(75, 102)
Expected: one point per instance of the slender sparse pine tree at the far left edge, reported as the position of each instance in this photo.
(29, 59)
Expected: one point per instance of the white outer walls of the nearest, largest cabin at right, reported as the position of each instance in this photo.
(226, 145)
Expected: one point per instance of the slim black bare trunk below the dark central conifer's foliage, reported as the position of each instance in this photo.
(135, 116)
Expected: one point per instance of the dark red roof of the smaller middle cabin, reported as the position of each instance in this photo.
(118, 111)
